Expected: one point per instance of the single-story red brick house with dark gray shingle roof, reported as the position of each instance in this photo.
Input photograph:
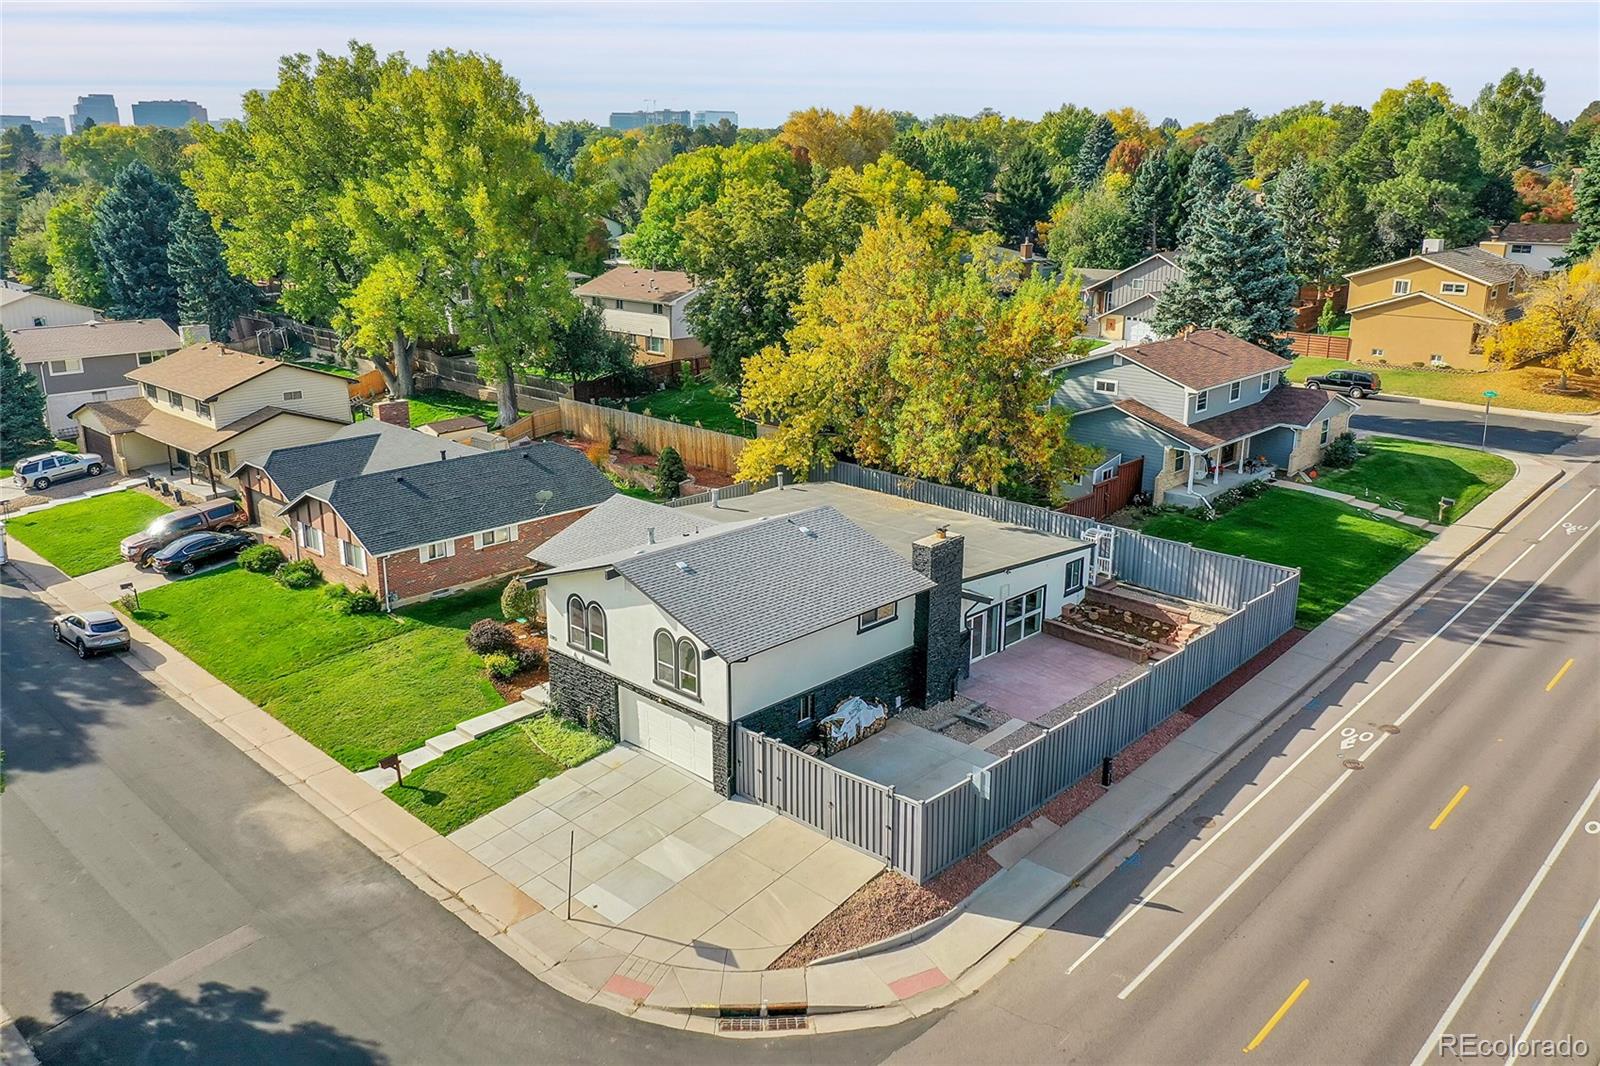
(412, 516)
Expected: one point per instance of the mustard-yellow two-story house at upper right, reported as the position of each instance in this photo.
(1433, 308)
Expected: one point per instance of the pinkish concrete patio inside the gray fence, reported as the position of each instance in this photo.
(1031, 679)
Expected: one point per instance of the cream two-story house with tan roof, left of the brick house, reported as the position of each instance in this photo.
(207, 409)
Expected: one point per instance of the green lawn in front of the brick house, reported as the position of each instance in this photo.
(361, 687)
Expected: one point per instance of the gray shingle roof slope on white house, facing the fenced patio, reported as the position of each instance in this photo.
(766, 583)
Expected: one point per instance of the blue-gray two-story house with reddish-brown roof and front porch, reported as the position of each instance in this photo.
(1206, 411)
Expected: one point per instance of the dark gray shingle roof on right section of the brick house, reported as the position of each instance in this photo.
(417, 505)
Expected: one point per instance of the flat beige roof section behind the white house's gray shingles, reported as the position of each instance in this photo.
(991, 547)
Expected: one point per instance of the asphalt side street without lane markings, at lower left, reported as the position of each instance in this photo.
(162, 900)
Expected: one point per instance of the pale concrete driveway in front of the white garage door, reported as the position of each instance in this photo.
(665, 868)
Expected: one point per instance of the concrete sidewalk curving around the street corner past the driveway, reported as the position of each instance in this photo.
(1046, 870)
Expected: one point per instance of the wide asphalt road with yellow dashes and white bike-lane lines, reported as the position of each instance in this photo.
(1314, 913)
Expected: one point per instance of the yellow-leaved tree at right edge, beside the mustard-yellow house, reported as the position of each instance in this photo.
(1559, 326)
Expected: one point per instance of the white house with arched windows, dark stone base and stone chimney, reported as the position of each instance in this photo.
(671, 625)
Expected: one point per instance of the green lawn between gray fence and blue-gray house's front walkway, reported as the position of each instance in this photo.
(1342, 551)
